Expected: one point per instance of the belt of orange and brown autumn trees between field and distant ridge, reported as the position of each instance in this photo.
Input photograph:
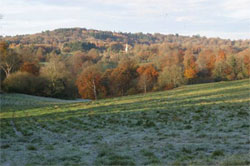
(92, 70)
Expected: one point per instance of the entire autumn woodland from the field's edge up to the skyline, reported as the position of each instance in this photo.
(144, 62)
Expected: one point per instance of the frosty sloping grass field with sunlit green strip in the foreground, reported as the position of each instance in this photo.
(205, 124)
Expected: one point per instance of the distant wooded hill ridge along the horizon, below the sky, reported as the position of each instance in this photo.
(58, 37)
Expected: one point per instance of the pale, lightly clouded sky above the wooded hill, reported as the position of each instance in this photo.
(227, 19)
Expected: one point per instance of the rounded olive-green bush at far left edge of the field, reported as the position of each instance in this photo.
(23, 82)
